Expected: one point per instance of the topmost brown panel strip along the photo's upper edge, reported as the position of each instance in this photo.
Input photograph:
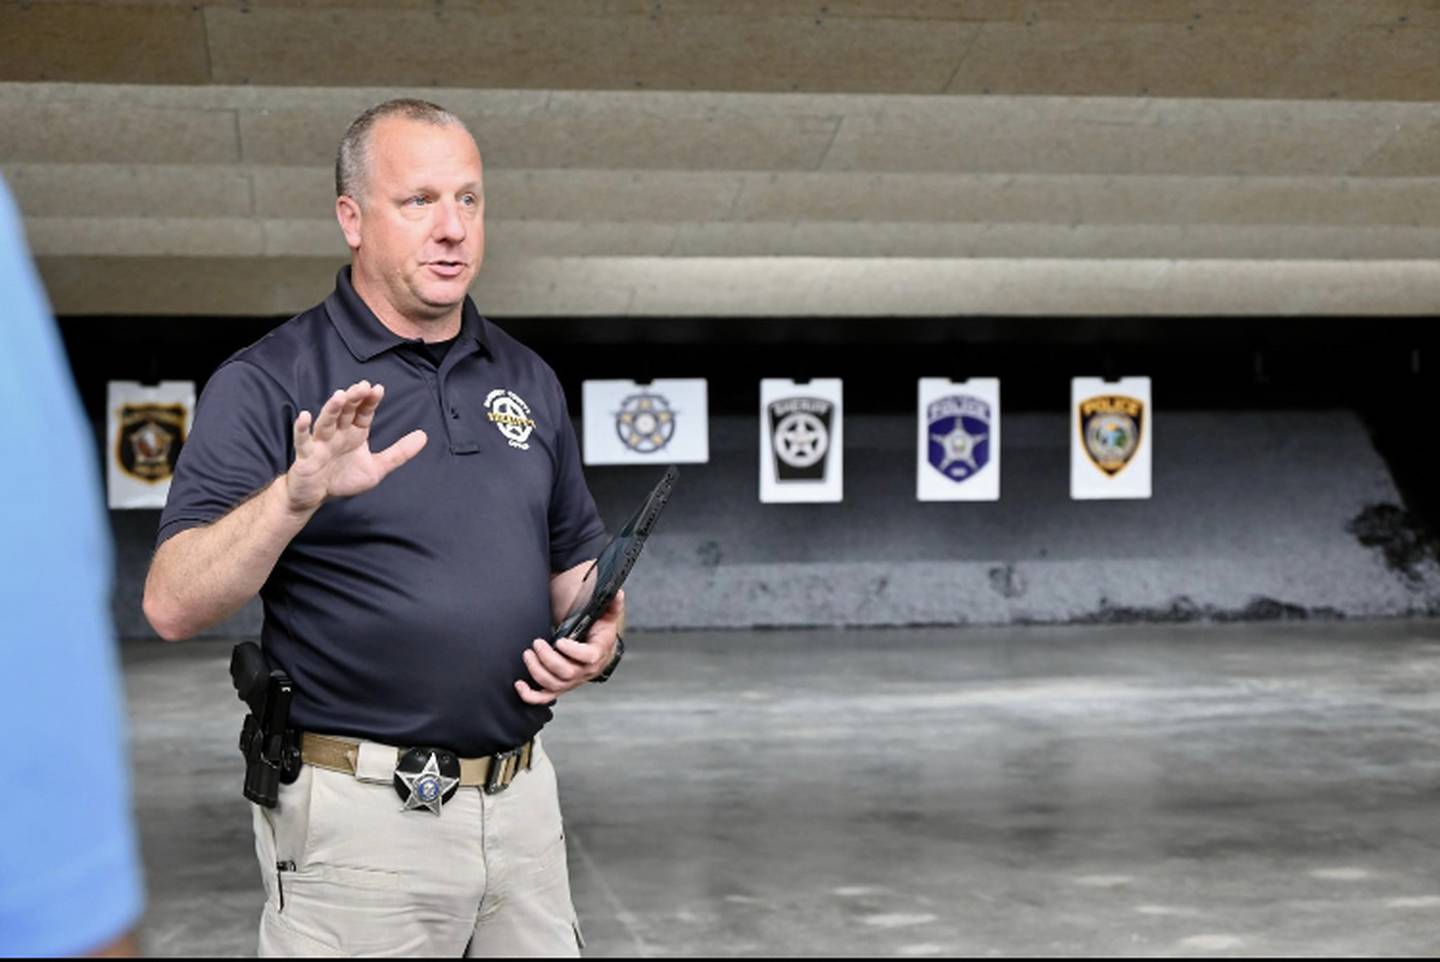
(1372, 50)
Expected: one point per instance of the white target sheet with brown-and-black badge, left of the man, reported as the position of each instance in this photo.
(148, 427)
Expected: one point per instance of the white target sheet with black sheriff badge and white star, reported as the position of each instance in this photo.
(801, 441)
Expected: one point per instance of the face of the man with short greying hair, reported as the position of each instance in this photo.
(418, 234)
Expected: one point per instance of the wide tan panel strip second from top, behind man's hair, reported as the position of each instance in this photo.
(522, 130)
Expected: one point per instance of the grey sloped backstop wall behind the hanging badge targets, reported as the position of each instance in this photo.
(1255, 516)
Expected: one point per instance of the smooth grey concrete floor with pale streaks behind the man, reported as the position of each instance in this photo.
(1197, 790)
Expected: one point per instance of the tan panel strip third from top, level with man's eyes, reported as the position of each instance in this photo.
(662, 197)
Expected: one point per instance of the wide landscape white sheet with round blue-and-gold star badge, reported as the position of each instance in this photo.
(631, 423)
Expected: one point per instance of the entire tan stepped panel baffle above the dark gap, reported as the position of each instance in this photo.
(860, 158)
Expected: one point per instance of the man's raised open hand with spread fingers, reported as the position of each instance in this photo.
(333, 457)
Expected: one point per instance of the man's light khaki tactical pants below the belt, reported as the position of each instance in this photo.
(349, 873)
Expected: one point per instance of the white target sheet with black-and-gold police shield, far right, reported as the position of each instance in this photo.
(1112, 439)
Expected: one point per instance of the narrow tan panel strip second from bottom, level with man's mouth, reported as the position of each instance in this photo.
(509, 240)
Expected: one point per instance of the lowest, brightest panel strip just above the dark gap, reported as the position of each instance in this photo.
(777, 287)
